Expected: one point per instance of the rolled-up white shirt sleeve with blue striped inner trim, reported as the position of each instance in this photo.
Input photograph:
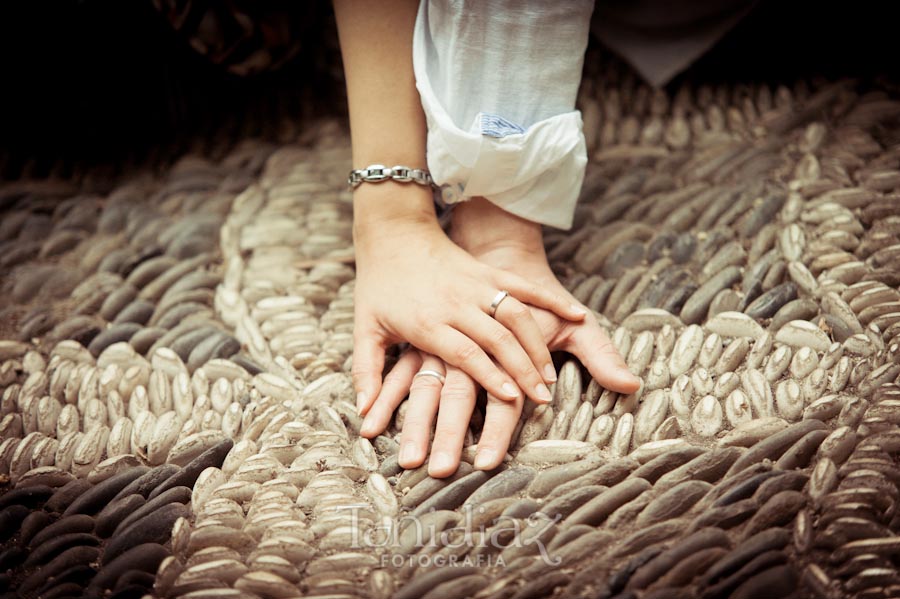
(498, 81)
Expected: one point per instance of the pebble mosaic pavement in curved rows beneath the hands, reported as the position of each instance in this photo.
(178, 418)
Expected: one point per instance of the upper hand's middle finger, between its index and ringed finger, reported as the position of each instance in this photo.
(503, 345)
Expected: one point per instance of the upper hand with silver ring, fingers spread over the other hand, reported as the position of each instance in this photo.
(414, 284)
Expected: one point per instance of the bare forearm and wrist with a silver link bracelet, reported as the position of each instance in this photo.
(387, 123)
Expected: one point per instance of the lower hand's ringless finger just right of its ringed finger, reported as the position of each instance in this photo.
(456, 405)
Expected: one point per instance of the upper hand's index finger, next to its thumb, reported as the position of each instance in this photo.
(456, 349)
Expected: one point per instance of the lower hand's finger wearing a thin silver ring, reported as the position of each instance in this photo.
(424, 396)
